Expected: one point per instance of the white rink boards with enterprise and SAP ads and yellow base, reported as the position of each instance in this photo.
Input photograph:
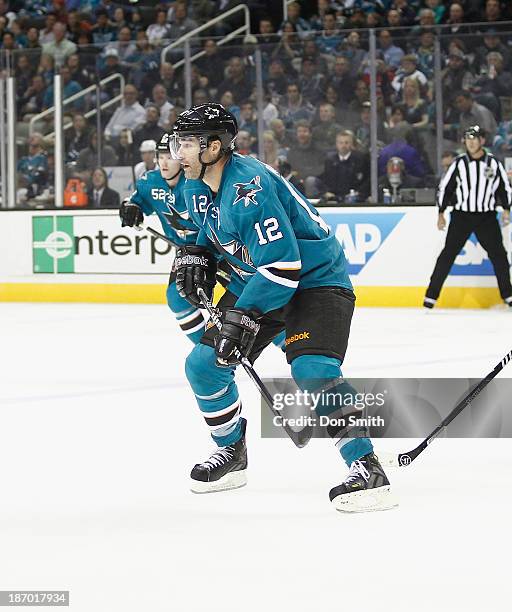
(85, 256)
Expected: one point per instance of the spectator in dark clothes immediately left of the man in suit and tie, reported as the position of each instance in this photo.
(305, 159)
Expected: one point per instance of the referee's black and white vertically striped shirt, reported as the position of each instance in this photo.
(474, 185)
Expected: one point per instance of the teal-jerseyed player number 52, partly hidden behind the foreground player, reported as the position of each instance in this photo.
(160, 191)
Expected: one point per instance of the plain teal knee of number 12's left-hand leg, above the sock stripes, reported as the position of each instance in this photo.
(202, 371)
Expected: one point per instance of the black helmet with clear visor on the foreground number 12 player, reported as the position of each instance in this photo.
(207, 123)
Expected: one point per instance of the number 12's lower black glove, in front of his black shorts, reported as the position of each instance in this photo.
(239, 329)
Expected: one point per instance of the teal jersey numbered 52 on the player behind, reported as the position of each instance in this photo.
(153, 195)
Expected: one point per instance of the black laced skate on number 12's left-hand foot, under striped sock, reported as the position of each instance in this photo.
(225, 469)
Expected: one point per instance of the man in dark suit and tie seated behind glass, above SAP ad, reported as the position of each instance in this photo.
(346, 169)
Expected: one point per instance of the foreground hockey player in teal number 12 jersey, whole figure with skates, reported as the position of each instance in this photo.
(289, 272)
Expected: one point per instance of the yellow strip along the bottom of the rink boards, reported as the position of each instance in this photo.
(451, 297)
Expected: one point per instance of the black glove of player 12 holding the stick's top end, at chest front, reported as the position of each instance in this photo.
(195, 267)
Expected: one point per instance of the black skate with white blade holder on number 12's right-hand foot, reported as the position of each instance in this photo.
(366, 488)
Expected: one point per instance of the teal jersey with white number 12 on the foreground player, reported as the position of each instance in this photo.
(273, 238)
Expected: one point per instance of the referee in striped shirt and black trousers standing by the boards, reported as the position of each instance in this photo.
(474, 184)
